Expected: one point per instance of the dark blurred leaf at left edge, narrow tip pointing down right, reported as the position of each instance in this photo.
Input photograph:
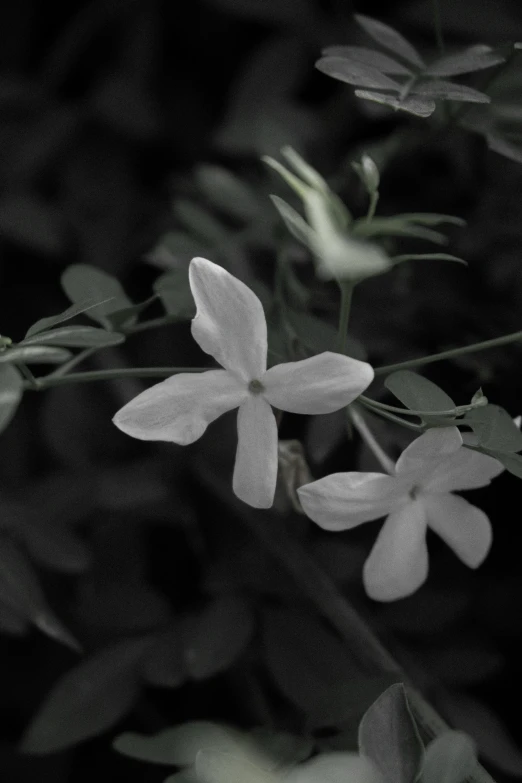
(21, 591)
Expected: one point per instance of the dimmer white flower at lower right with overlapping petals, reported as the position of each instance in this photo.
(418, 496)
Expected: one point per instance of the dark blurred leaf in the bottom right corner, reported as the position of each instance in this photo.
(493, 740)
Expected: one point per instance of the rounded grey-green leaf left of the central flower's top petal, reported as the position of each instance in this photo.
(83, 280)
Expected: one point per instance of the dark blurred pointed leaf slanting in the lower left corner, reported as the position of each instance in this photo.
(88, 699)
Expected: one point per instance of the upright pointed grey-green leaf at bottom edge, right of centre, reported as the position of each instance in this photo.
(388, 737)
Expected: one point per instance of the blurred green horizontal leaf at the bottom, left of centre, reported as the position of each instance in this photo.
(178, 745)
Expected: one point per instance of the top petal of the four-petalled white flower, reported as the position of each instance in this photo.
(230, 322)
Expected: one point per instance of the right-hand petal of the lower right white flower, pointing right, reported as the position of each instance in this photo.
(465, 469)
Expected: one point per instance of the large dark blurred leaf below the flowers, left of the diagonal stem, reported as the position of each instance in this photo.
(314, 669)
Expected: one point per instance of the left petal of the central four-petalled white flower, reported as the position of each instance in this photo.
(180, 409)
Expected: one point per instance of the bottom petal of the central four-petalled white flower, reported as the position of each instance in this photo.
(255, 471)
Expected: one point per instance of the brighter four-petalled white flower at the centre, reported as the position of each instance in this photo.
(230, 325)
